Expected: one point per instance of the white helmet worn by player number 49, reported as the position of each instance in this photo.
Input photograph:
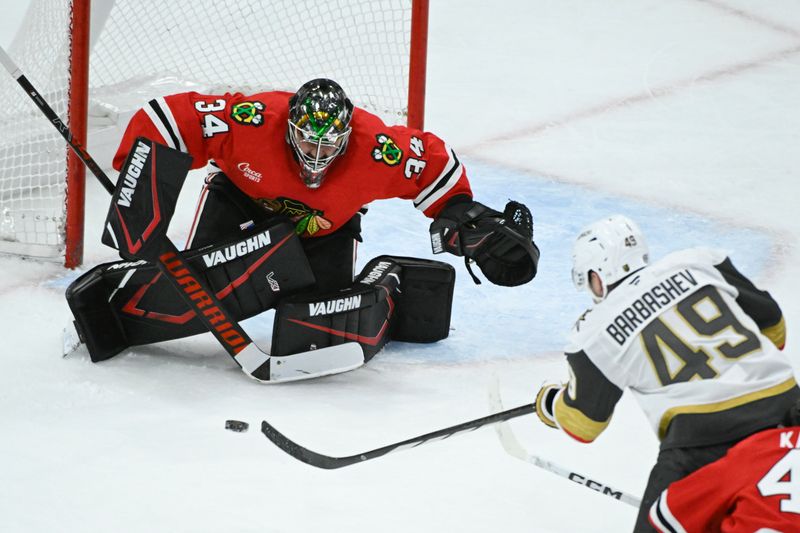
(613, 248)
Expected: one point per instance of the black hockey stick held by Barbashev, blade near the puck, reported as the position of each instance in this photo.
(328, 462)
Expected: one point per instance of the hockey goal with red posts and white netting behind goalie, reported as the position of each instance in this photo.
(141, 49)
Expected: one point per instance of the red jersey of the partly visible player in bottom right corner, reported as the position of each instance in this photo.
(755, 487)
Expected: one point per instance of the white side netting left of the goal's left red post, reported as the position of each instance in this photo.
(33, 155)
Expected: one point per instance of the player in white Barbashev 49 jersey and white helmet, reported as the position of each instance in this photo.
(694, 340)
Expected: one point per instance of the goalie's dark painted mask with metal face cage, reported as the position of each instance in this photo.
(319, 125)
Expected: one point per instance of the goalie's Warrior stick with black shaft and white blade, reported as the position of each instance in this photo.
(253, 361)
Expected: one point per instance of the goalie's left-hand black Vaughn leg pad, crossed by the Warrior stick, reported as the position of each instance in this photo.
(122, 304)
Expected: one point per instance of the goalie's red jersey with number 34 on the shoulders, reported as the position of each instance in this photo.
(245, 136)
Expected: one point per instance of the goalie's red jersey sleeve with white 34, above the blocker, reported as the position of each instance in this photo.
(189, 122)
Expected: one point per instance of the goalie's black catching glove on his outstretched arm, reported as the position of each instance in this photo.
(500, 243)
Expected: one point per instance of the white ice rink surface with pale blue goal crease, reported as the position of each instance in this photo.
(683, 115)
